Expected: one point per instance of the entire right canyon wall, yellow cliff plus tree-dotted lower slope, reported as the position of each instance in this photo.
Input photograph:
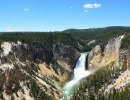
(112, 77)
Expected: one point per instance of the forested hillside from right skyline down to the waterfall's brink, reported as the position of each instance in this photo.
(101, 35)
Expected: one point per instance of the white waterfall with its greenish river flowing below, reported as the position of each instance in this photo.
(79, 73)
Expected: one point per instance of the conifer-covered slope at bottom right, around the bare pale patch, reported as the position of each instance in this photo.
(94, 87)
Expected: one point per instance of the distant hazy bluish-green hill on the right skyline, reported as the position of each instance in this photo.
(96, 33)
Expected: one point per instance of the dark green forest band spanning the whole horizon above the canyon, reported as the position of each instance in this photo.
(76, 38)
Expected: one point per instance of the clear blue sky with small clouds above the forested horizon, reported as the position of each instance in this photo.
(58, 15)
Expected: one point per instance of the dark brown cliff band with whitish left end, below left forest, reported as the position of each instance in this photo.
(24, 53)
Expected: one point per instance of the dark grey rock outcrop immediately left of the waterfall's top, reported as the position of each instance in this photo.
(65, 55)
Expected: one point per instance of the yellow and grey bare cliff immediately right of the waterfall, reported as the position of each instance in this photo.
(110, 54)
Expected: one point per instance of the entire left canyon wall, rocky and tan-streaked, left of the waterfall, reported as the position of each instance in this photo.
(30, 73)
